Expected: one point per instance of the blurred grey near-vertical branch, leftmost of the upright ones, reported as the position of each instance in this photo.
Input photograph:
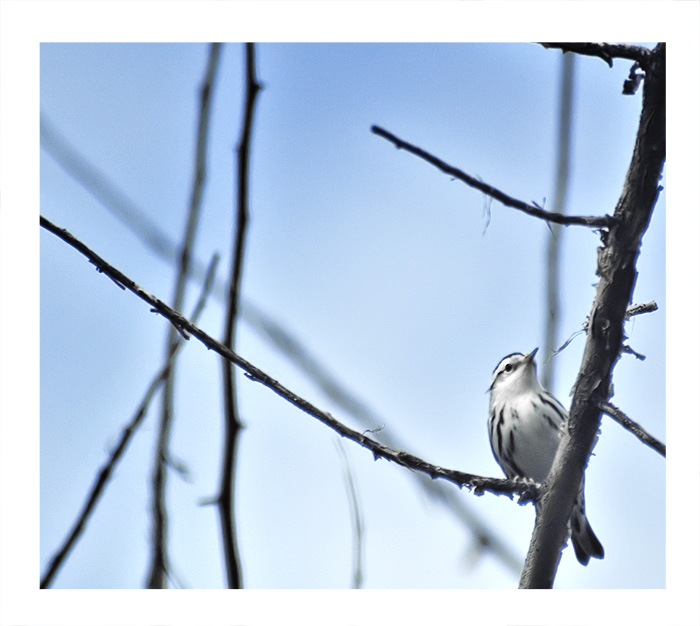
(157, 574)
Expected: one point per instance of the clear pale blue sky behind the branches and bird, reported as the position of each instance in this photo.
(389, 272)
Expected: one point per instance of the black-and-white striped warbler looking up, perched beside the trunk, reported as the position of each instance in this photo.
(525, 422)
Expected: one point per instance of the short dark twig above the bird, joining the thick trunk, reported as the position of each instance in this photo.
(604, 221)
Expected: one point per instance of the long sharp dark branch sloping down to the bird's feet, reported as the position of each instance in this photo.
(525, 491)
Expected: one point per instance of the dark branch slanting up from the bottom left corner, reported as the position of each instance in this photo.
(105, 473)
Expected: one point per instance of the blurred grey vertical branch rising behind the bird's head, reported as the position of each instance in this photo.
(553, 249)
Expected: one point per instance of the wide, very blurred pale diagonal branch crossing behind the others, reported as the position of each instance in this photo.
(156, 240)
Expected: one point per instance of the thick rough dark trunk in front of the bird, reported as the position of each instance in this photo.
(617, 260)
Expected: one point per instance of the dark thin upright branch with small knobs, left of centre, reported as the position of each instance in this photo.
(232, 423)
